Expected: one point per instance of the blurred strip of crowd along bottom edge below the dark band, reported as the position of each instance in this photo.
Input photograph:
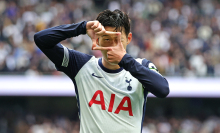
(55, 124)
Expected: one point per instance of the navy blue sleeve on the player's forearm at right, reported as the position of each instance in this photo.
(151, 80)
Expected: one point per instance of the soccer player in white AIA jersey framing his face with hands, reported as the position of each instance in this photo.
(111, 91)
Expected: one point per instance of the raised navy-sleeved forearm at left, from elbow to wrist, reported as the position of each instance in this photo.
(50, 37)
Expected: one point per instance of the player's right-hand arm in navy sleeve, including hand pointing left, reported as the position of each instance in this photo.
(152, 81)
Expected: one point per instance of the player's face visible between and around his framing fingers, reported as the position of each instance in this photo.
(112, 40)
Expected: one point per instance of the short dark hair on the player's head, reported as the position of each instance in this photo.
(116, 18)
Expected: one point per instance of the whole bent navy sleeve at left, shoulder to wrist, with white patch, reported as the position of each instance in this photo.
(65, 60)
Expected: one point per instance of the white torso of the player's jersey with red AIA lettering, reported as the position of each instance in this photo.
(109, 102)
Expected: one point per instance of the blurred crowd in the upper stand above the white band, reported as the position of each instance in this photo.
(182, 38)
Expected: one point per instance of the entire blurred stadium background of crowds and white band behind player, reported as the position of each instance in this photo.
(182, 38)
